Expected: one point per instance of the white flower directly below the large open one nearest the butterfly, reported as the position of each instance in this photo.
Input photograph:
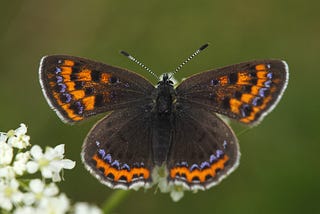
(39, 190)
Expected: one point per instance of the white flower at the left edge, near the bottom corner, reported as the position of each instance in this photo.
(10, 194)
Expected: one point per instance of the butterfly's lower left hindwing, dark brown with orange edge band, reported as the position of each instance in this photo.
(117, 150)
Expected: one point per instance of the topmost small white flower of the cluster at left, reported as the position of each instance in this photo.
(18, 137)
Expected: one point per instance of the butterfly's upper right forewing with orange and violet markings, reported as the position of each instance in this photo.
(245, 92)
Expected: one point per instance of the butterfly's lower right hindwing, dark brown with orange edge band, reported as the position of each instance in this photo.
(205, 149)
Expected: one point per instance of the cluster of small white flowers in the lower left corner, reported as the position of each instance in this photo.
(21, 195)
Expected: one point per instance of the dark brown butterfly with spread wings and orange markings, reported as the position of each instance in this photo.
(150, 126)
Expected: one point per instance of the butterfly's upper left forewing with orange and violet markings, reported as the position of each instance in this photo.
(77, 88)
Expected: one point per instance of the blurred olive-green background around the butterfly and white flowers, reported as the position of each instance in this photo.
(279, 169)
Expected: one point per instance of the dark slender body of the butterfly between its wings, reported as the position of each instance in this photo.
(162, 119)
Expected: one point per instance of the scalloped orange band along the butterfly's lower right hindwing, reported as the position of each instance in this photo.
(201, 174)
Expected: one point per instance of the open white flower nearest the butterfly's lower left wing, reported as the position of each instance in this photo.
(49, 163)
